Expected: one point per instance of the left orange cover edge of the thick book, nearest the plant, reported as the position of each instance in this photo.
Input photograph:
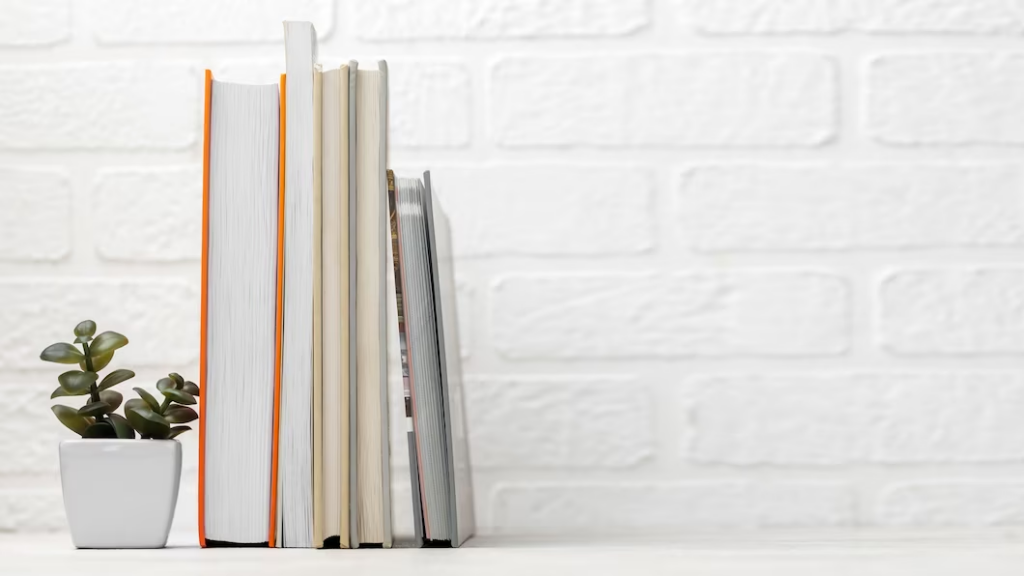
(203, 308)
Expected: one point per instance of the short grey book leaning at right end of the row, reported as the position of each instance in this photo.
(438, 447)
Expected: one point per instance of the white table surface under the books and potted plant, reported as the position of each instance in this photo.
(986, 553)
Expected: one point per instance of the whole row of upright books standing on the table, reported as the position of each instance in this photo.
(328, 298)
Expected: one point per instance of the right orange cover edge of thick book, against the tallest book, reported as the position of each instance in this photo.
(279, 320)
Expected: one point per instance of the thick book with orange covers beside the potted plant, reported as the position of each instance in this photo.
(239, 320)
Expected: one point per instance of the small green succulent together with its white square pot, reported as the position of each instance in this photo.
(109, 477)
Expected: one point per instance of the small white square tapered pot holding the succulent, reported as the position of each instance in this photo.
(120, 493)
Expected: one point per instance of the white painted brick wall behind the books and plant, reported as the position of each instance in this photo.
(722, 264)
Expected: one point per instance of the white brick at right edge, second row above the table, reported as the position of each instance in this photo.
(830, 420)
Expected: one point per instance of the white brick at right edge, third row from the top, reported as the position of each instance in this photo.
(829, 208)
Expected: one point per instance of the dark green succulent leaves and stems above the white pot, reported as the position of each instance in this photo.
(98, 419)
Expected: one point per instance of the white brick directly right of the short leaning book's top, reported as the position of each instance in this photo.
(495, 211)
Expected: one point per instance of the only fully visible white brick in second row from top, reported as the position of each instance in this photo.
(732, 100)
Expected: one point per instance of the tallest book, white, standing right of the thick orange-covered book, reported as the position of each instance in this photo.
(295, 442)
